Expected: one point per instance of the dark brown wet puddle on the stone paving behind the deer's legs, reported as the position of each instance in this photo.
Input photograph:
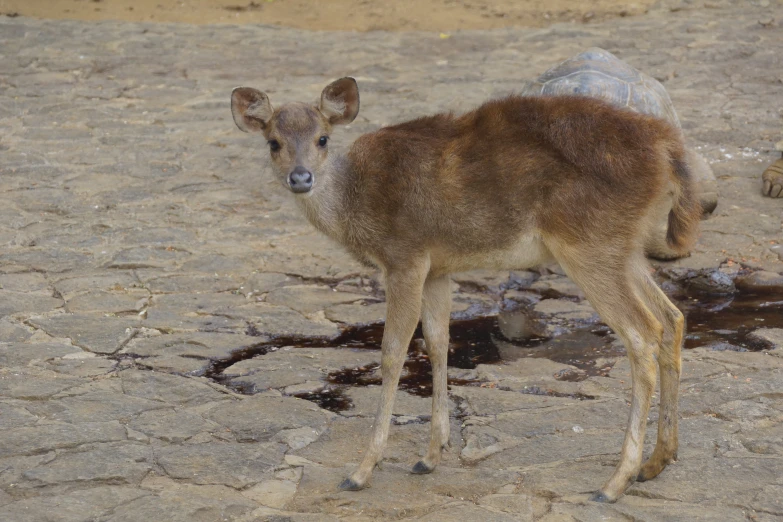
(723, 323)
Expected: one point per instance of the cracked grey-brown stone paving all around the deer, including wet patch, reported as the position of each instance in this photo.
(149, 262)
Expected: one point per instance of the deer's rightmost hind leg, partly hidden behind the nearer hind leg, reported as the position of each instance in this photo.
(669, 364)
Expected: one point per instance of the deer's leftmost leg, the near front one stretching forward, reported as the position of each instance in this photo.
(403, 306)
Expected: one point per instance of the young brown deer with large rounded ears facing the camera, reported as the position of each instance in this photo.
(513, 184)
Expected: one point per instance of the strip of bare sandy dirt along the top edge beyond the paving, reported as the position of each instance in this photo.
(347, 15)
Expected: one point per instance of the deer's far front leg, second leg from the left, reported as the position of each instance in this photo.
(436, 308)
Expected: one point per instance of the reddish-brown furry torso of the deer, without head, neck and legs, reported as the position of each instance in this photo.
(512, 169)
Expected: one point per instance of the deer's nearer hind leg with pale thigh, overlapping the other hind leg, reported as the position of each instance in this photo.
(607, 278)
